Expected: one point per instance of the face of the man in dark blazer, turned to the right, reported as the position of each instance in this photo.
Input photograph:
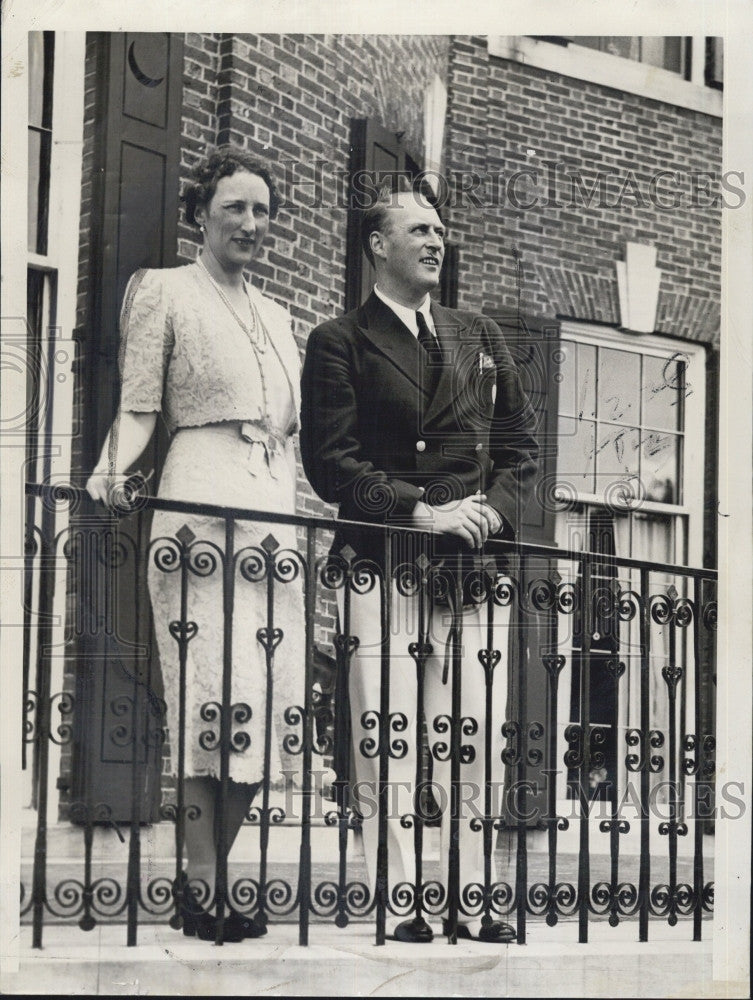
(410, 249)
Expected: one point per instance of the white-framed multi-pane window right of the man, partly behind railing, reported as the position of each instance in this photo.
(630, 479)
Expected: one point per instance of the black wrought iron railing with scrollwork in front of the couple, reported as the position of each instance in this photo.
(609, 673)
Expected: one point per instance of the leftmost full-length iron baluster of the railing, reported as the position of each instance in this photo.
(46, 592)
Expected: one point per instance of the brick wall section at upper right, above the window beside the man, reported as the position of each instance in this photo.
(505, 117)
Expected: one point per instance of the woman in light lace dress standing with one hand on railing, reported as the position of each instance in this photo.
(203, 347)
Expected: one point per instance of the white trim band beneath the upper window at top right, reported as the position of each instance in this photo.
(582, 63)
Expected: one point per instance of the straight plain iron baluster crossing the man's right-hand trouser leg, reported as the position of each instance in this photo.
(453, 873)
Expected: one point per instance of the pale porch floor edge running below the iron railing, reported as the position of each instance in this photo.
(348, 963)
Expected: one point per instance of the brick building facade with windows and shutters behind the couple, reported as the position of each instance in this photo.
(580, 180)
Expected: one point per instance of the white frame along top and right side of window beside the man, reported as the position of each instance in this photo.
(693, 431)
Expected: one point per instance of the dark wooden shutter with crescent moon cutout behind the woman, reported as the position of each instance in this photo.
(133, 224)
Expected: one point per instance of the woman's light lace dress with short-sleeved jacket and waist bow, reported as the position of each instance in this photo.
(232, 411)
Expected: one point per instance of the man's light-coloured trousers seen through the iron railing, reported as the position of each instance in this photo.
(365, 678)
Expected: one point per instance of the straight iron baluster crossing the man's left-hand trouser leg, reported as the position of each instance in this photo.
(382, 871)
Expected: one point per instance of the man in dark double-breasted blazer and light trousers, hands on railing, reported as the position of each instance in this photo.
(413, 415)
